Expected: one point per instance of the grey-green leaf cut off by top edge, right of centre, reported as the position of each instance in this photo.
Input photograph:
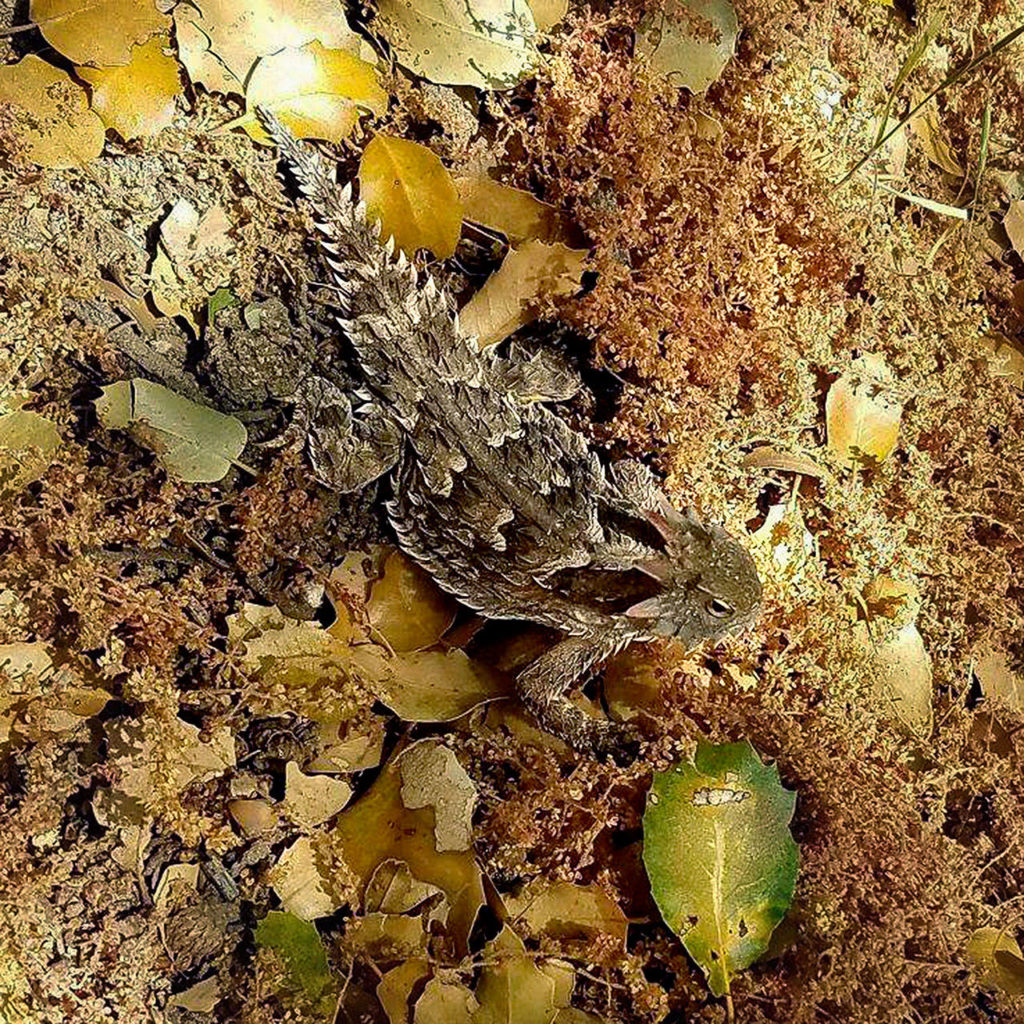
(690, 42)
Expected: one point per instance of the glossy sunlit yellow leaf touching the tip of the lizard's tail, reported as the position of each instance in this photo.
(315, 93)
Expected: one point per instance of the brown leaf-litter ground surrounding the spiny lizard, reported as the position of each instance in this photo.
(163, 716)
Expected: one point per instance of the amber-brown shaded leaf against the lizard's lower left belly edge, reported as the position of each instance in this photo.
(407, 608)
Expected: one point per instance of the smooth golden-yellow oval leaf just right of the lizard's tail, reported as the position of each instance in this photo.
(411, 193)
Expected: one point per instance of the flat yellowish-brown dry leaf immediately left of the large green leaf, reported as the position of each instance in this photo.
(564, 911)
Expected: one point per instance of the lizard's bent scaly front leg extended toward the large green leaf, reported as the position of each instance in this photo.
(542, 688)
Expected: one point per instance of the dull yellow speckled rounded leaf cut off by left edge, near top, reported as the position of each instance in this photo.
(58, 129)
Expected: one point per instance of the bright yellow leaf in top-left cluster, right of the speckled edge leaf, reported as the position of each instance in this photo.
(137, 99)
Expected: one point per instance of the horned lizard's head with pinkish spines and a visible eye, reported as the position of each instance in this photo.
(709, 583)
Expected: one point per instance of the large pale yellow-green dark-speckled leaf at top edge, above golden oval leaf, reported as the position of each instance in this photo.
(489, 45)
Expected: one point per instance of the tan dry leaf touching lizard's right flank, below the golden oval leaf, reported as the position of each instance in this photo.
(516, 294)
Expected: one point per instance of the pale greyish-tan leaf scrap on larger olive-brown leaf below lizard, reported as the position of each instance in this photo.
(432, 777)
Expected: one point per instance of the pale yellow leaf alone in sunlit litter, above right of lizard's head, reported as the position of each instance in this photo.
(862, 413)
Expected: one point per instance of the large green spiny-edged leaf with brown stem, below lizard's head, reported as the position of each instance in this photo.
(720, 858)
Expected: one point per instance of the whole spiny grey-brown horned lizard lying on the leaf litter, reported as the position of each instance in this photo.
(494, 495)
